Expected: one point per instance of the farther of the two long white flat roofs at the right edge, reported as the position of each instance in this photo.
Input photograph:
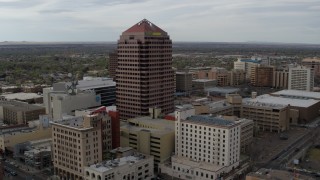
(297, 94)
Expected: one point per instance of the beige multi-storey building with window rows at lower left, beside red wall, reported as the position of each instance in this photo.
(79, 142)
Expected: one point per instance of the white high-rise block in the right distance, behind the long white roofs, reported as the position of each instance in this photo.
(301, 78)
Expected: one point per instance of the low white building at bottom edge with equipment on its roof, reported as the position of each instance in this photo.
(134, 167)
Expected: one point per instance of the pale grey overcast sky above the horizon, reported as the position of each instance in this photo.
(292, 21)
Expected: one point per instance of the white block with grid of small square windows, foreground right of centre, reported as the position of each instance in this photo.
(206, 147)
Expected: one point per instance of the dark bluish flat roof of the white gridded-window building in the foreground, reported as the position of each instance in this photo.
(209, 121)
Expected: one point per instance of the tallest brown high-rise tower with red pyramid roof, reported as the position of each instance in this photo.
(144, 73)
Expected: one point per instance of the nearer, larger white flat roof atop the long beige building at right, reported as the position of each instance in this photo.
(278, 102)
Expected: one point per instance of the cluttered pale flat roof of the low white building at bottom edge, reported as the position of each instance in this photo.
(113, 164)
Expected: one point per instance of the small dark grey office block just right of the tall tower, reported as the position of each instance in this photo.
(183, 82)
